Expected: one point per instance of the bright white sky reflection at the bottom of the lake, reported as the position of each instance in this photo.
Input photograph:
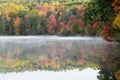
(87, 74)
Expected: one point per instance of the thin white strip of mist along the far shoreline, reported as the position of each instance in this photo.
(4, 38)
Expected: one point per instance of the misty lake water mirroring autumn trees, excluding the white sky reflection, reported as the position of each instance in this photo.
(52, 53)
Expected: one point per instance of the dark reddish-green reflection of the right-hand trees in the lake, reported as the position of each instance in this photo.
(108, 61)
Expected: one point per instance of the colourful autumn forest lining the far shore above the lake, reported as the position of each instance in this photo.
(64, 18)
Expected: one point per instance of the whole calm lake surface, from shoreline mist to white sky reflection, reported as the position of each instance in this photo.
(56, 58)
